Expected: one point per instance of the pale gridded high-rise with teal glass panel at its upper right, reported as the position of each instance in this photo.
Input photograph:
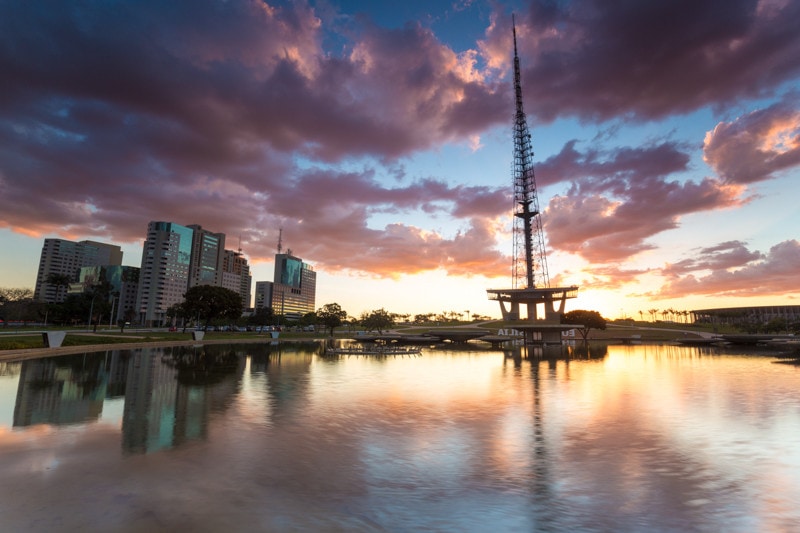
(164, 276)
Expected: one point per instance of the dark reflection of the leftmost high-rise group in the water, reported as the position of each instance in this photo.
(168, 393)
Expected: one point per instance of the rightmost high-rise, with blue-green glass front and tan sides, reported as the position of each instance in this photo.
(295, 286)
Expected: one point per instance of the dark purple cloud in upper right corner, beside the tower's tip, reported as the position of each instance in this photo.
(599, 60)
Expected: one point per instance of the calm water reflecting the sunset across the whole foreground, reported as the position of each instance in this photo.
(279, 438)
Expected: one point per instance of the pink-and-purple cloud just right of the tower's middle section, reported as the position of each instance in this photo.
(618, 199)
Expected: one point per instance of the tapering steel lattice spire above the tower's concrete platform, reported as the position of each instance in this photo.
(529, 268)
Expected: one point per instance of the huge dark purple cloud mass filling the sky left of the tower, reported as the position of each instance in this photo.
(114, 114)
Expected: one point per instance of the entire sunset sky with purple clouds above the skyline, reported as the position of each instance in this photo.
(378, 136)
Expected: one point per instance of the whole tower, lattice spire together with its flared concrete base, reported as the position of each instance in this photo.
(530, 279)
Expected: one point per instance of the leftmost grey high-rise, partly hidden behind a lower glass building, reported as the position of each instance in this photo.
(63, 257)
